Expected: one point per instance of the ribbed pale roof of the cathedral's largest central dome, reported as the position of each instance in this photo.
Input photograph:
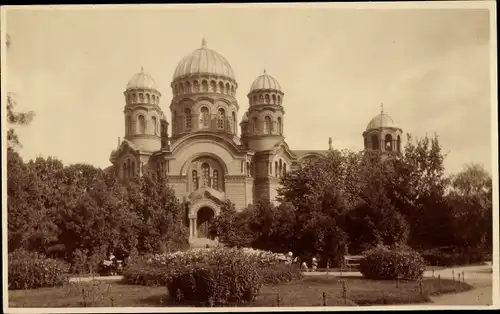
(204, 61)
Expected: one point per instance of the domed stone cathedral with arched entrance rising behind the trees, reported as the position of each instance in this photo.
(208, 158)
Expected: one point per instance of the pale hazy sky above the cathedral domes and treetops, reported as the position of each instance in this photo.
(430, 68)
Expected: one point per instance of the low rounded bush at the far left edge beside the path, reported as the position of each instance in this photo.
(29, 270)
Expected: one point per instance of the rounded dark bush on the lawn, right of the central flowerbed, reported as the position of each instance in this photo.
(399, 262)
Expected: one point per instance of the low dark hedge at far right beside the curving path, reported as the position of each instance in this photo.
(447, 256)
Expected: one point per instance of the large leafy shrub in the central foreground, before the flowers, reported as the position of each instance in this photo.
(230, 276)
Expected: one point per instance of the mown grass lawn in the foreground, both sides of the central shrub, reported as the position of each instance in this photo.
(307, 292)
